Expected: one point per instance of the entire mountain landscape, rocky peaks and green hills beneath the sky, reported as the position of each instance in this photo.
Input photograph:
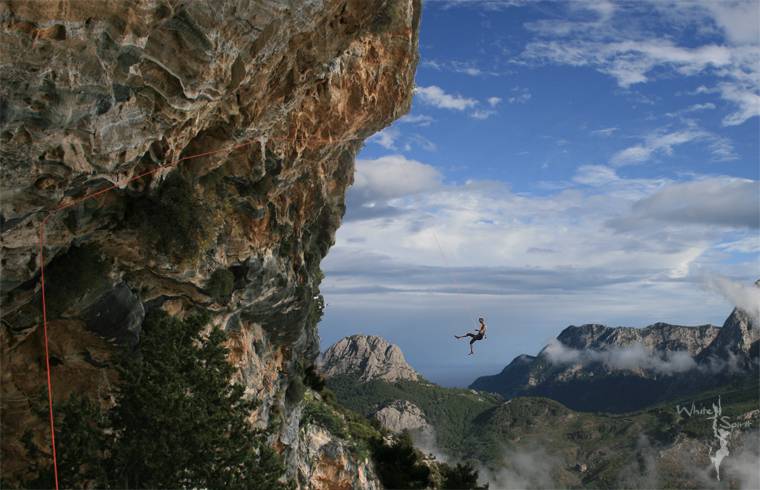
(520, 438)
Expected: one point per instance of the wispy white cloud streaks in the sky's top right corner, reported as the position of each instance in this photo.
(634, 53)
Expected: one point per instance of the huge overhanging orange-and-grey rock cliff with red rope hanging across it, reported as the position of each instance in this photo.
(94, 93)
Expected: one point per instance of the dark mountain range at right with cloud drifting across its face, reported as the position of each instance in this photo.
(586, 364)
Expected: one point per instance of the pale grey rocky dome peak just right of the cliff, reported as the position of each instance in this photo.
(368, 357)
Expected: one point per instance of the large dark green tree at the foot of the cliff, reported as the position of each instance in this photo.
(179, 421)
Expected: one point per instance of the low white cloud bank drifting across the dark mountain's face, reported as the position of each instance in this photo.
(629, 358)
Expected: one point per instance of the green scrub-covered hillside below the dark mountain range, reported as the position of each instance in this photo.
(484, 427)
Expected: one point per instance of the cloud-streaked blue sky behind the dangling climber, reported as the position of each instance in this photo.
(563, 163)
